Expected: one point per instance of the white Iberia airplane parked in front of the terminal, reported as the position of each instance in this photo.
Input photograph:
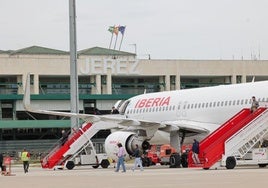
(175, 117)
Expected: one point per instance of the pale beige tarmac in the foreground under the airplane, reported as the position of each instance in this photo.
(151, 177)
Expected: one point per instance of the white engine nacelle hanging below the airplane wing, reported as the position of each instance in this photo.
(127, 139)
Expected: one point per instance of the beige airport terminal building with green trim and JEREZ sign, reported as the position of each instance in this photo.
(104, 77)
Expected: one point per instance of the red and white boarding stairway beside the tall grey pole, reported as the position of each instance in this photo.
(78, 140)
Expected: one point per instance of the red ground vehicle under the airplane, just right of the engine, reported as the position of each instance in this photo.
(158, 154)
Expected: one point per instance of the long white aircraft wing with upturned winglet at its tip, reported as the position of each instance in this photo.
(121, 120)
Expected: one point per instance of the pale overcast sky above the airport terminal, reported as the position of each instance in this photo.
(165, 29)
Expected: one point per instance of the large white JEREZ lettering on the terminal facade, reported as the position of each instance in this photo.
(94, 66)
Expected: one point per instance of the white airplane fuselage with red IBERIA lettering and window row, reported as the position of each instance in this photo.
(210, 106)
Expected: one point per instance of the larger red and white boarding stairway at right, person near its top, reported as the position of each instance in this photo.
(233, 140)
